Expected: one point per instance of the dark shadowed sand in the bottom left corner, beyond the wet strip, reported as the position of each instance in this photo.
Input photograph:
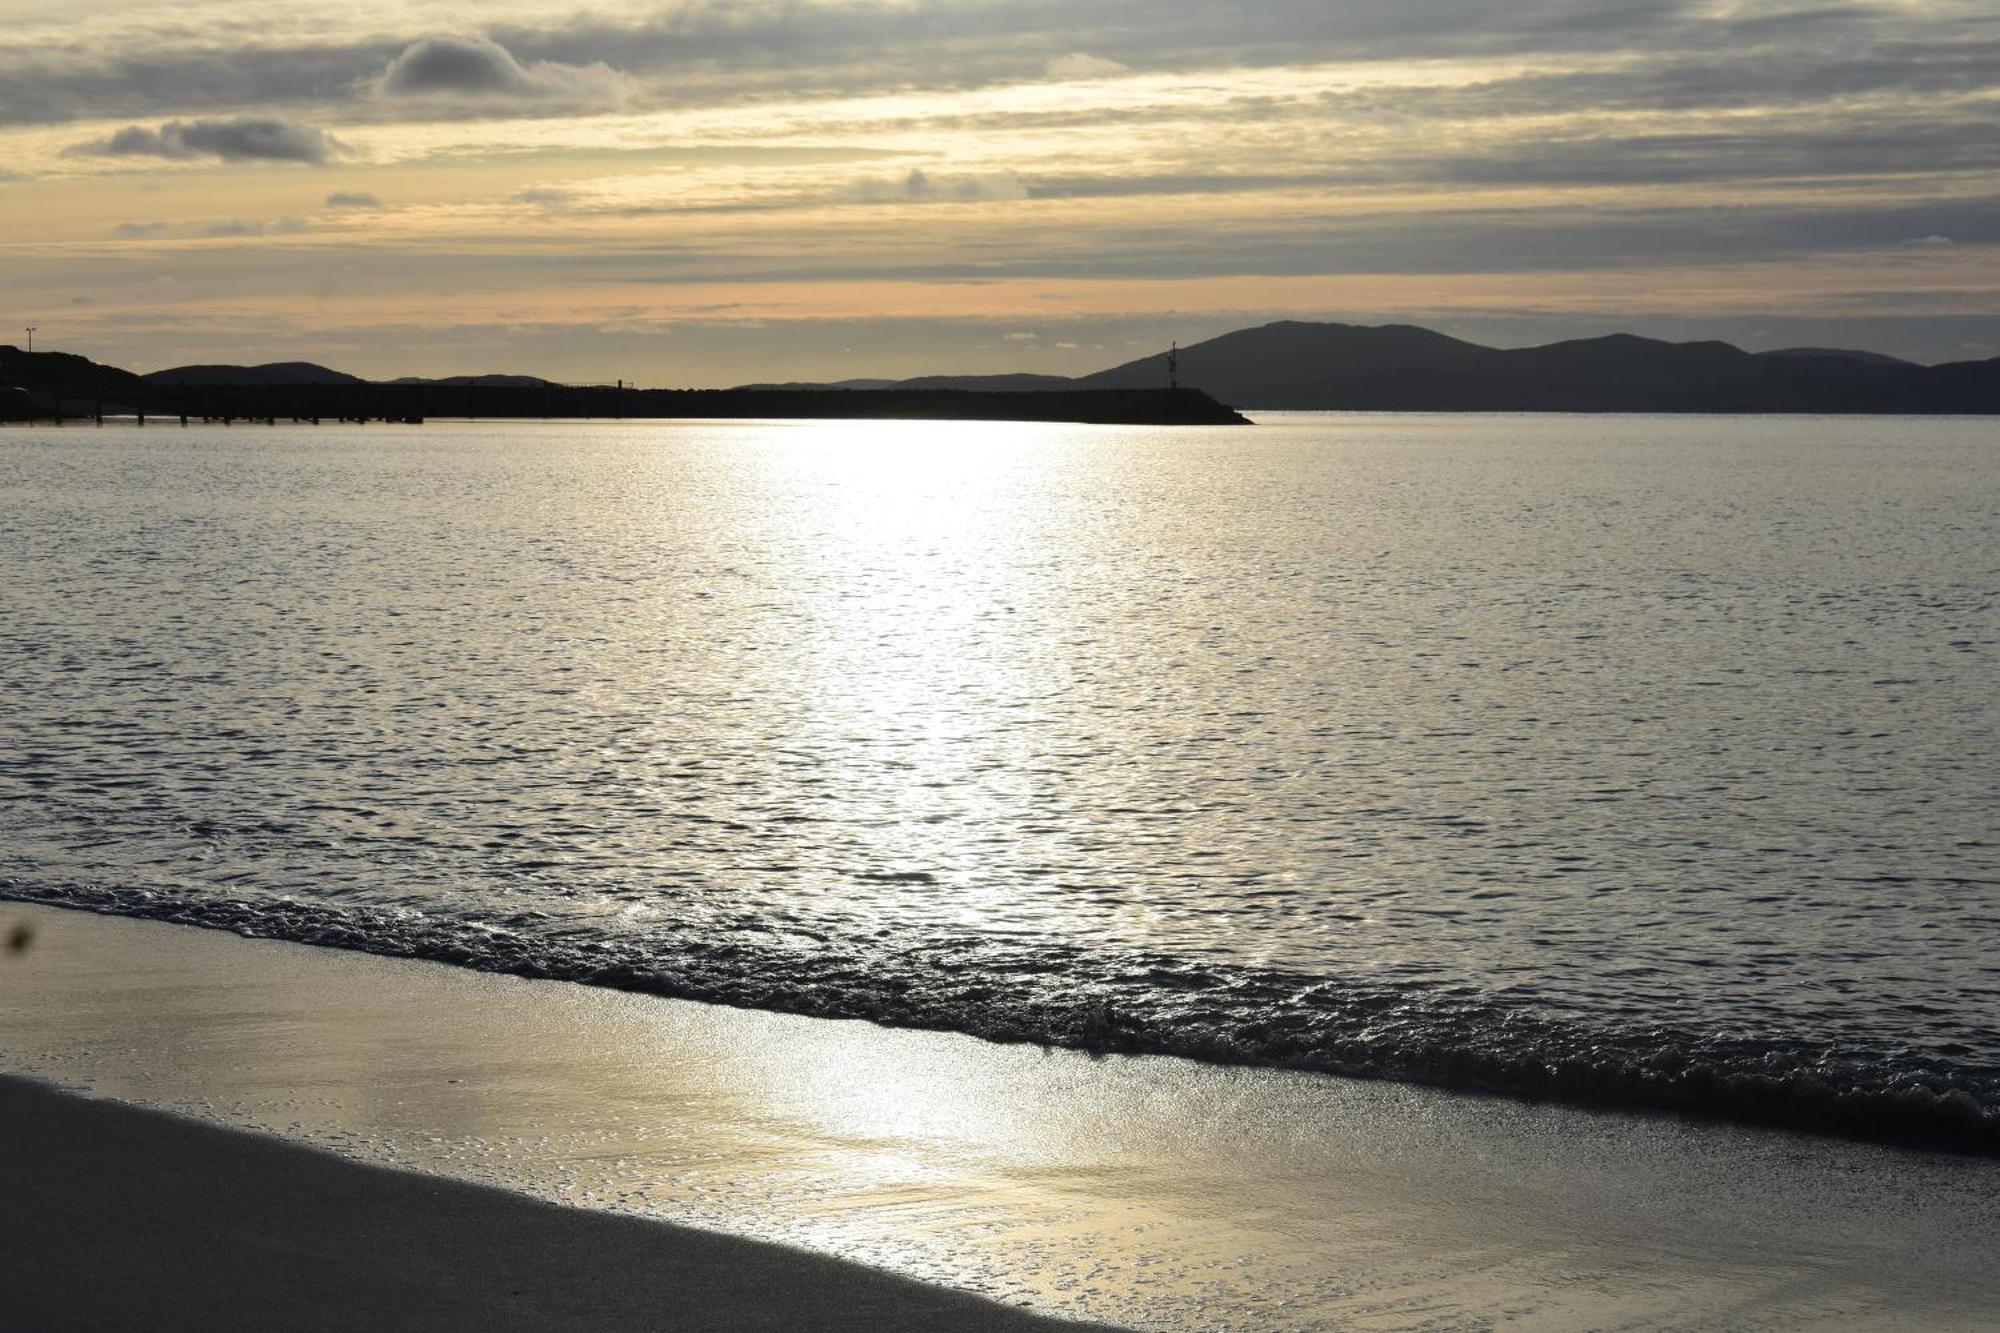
(133, 1220)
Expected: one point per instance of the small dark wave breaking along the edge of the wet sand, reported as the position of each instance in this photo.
(1157, 1006)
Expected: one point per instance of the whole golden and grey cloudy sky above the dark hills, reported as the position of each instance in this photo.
(685, 193)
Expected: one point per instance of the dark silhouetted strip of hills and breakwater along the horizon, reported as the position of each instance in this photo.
(1275, 367)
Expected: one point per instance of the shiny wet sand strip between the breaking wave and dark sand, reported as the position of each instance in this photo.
(1143, 1192)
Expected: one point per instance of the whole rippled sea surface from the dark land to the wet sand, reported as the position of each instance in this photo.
(1639, 760)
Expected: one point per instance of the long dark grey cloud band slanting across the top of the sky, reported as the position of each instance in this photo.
(725, 53)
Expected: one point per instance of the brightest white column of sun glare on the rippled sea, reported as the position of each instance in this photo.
(921, 571)
